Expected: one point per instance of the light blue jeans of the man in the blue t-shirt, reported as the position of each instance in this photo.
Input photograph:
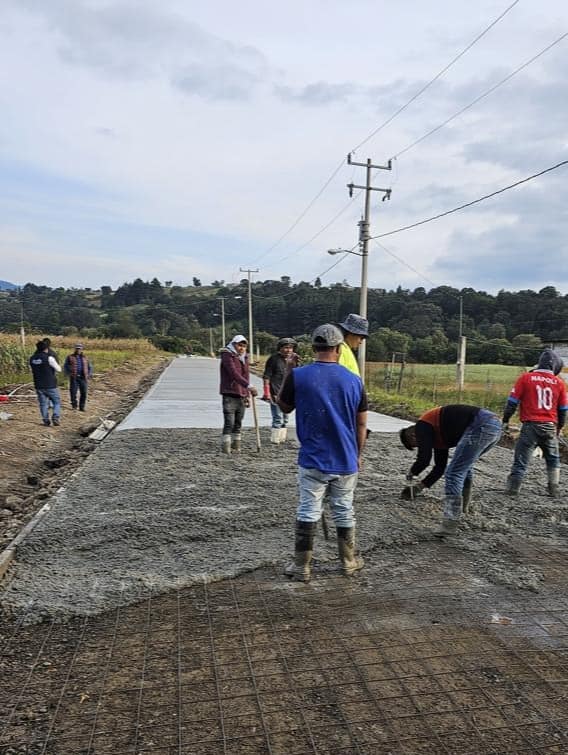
(313, 485)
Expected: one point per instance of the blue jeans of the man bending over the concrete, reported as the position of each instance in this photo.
(483, 433)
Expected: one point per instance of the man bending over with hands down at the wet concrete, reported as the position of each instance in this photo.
(472, 431)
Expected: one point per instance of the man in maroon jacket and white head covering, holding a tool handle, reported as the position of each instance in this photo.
(235, 389)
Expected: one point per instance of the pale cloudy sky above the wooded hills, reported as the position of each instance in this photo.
(179, 139)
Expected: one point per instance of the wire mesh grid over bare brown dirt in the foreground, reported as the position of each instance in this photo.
(400, 660)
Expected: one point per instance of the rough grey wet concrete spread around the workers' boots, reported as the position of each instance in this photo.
(152, 510)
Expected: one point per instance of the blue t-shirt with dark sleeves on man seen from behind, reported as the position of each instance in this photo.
(327, 398)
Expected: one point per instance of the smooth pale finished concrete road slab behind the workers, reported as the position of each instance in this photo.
(187, 395)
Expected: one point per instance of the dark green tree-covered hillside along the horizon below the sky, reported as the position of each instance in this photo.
(423, 325)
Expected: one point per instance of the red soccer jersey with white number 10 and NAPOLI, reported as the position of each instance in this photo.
(541, 394)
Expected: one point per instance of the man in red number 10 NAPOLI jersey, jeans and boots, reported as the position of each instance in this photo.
(544, 403)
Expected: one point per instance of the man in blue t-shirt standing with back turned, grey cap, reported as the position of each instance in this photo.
(331, 424)
